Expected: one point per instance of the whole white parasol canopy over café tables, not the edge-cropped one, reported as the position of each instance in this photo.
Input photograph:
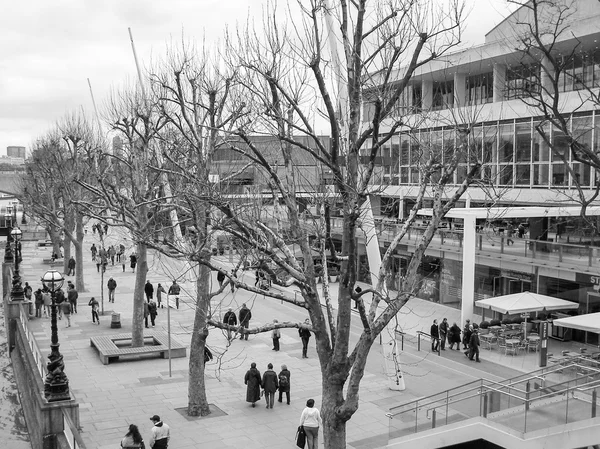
(525, 302)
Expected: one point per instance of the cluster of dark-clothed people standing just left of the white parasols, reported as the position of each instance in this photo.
(470, 338)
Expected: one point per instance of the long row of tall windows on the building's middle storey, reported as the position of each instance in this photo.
(513, 153)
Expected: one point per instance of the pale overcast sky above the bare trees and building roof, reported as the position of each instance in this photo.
(48, 49)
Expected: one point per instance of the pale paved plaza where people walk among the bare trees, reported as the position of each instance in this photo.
(113, 396)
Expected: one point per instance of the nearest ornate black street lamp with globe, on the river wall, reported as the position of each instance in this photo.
(56, 385)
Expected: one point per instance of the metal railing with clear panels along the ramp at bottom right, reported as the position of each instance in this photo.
(555, 395)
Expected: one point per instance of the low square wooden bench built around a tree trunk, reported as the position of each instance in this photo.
(155, 343)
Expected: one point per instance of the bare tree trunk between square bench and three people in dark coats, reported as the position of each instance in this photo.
(198, 403)
